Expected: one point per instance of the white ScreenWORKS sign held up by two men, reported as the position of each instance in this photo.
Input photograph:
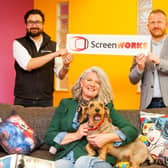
(108, 44)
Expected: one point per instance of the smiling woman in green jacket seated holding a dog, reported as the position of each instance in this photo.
(68, 136)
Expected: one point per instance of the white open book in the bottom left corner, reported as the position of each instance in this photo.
(24, 161)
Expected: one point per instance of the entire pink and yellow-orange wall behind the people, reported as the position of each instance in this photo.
(97, 17)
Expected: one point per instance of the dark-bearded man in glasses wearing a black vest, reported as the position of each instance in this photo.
(36, 60)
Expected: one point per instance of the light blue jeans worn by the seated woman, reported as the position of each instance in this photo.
(82, 162)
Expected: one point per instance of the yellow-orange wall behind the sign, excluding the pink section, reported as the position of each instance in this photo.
(100, 17)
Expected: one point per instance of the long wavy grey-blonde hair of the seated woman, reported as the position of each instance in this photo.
(105, 93)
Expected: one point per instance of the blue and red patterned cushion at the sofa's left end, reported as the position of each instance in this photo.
(16, 136)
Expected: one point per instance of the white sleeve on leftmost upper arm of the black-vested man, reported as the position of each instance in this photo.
(21, 55)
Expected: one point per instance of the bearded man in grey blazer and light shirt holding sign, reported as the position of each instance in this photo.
(152, 69)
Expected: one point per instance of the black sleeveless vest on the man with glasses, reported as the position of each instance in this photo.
(38, 83)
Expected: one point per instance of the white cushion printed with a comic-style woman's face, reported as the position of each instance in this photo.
(155, 128)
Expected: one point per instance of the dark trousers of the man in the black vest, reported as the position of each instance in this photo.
(33, 103)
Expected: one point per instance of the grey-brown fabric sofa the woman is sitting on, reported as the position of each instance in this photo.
(39, 118)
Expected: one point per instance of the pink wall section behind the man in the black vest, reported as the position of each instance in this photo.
(12, 26)
